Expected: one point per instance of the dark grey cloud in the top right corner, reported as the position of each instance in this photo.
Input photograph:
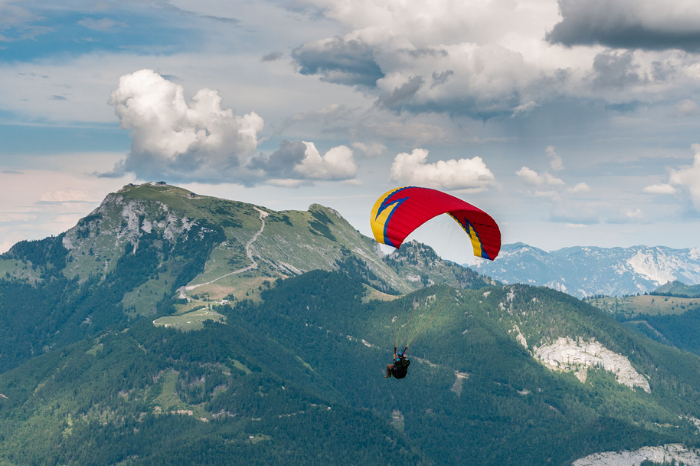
(629, 24)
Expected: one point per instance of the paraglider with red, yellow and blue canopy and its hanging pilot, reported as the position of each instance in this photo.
(397, 213)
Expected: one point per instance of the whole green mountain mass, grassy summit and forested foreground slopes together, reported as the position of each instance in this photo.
(173, 328)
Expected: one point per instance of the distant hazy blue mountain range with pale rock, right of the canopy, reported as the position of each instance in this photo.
(586, 271)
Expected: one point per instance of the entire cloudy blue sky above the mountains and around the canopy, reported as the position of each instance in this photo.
(571, 122)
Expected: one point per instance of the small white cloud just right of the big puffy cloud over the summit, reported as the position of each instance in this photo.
(336, 164)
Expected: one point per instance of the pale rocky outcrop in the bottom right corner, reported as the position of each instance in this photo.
(658, 455)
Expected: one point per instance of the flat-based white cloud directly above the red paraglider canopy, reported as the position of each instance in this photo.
(463, 174)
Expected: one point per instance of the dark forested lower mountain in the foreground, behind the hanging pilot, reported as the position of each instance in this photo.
(511, 375)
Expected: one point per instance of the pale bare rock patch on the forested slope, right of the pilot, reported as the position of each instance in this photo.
(569, 355)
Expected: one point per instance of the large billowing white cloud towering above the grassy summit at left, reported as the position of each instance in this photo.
(175, 139)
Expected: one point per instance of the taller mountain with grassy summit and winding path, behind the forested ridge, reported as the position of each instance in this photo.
(153, 250)
